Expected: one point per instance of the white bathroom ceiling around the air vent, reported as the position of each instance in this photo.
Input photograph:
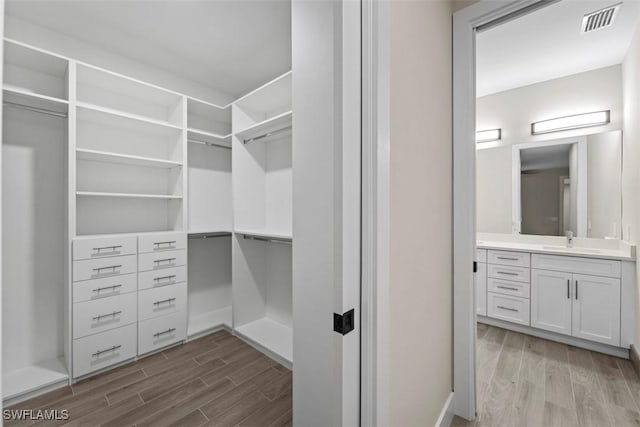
(547, 44)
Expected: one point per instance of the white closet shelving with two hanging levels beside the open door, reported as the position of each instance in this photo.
(262, 181)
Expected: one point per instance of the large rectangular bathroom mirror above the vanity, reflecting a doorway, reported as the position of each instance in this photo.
(551, 187)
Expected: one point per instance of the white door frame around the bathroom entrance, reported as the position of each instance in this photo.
(466, 23)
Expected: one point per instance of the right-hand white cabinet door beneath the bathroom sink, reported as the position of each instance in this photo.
(596, 308)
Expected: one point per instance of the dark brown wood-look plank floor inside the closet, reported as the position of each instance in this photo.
(217, 380)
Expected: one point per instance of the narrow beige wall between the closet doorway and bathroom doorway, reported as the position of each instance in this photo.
(421, 211)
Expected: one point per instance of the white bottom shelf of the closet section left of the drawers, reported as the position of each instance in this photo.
(34, 377)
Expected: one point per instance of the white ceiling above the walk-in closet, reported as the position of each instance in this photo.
(230, 45)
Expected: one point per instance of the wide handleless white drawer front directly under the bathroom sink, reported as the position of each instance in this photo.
(592, 266)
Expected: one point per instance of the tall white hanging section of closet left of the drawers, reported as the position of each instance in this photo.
(34, 193)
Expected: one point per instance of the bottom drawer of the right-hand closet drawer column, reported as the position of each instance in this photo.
(160, 332)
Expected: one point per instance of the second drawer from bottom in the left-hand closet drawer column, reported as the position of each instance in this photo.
(91, 317)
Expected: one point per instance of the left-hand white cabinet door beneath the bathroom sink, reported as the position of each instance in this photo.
(551, 295)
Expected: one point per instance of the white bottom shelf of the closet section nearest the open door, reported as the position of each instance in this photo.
(271, 336)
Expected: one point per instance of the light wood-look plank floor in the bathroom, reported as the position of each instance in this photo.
(528, 381)
